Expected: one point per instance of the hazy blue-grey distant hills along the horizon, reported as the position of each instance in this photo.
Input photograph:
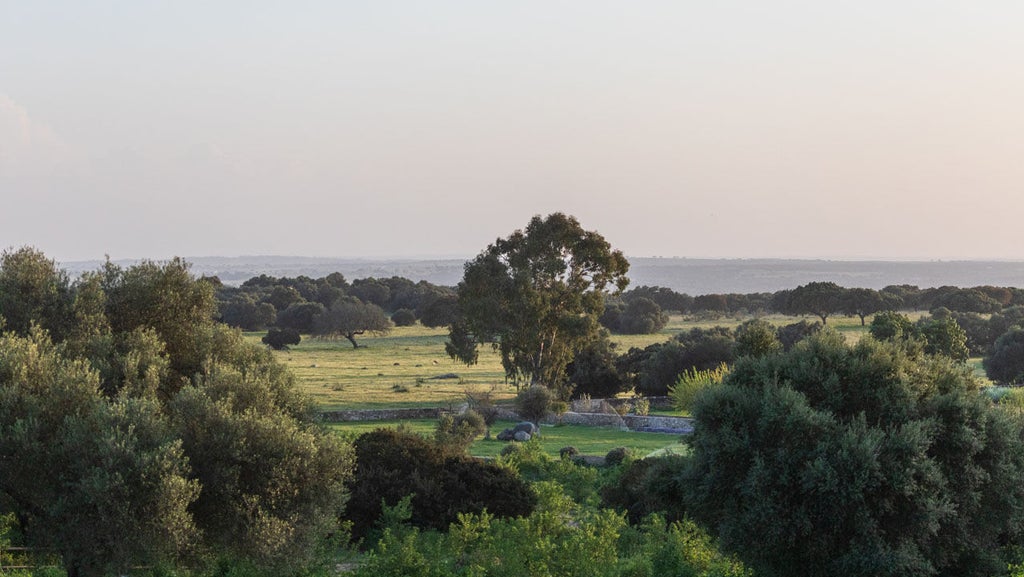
(692, 276)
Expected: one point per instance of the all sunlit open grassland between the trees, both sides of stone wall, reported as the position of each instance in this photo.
(403, 369)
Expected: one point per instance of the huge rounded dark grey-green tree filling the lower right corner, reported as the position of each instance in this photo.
(857, 461)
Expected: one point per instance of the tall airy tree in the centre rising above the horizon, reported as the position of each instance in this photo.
(536, 297)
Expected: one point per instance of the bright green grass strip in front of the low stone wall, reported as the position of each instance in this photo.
(589, 440)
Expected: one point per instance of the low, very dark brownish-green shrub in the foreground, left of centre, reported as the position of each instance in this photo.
(393, 465)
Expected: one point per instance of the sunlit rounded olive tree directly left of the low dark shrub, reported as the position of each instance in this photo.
(273, 481)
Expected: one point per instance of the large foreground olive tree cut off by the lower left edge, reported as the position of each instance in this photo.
(101, 481)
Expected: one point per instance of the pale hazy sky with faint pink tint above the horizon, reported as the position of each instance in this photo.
(694, 129)
